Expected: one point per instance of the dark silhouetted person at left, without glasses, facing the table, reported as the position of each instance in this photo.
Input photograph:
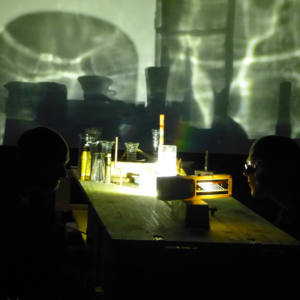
(31, 249)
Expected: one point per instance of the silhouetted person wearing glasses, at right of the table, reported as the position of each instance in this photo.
(272, 169)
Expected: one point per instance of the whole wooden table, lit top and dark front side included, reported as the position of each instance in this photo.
(139, 250)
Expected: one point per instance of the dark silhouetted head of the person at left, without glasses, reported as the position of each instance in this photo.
(42, 155)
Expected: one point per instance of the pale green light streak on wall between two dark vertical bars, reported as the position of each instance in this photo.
(200, 58)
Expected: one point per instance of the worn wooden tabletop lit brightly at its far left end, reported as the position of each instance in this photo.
(130, 214)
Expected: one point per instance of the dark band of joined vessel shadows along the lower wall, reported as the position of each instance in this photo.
(45, 103)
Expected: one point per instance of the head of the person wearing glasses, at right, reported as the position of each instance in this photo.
(273, 166)
